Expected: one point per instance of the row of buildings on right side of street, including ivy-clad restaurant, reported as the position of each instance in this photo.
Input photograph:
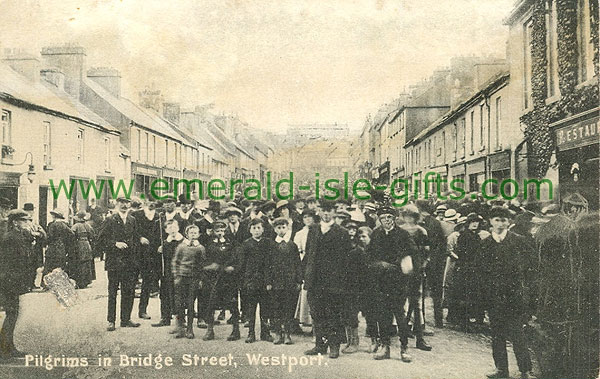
(531, 115)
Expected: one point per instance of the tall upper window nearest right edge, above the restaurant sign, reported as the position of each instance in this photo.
(584, 42)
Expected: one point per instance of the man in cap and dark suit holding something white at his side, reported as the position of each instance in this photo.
(390, 262)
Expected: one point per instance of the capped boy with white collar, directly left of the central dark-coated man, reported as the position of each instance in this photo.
(286, 279)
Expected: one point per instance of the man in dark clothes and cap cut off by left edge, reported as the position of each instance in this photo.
(15, 250)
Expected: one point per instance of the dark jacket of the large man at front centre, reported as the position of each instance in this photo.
(328, 256)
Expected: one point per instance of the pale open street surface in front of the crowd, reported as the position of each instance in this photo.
(55, 336)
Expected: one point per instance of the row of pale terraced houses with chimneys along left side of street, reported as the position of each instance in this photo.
(64, 121)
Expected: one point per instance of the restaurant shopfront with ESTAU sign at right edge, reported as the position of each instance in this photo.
(578, 155)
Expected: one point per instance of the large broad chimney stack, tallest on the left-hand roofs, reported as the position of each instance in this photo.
(70, 59)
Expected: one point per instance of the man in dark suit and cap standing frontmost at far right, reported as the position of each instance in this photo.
(509, 268)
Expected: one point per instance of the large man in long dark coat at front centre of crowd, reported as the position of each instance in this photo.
(326, 280)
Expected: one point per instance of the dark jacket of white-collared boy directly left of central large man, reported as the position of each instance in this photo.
(286, 268)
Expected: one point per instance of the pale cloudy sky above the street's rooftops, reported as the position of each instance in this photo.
(273, 63)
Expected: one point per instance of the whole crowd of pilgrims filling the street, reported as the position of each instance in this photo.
(522, 271)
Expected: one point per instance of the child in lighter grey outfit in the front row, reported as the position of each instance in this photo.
(186, 268)
